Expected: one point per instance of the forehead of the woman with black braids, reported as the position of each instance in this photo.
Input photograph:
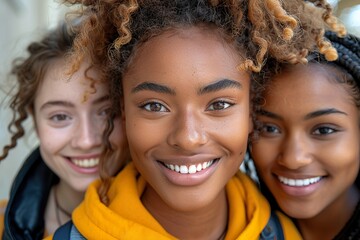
(306, 86)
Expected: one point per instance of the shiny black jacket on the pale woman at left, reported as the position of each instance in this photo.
(24, 215)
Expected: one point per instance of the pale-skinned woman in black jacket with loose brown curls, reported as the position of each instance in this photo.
(69, 113)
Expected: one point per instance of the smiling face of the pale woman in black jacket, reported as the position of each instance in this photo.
(69, 128)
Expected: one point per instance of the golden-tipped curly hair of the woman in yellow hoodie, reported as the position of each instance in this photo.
(113, 30)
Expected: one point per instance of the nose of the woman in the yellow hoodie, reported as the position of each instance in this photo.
(188, 132)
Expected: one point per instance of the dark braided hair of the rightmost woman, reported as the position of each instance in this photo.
(345, 70)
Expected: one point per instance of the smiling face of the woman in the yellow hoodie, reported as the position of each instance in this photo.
(187, 116)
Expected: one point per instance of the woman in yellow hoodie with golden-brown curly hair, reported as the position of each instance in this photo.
(182, 71)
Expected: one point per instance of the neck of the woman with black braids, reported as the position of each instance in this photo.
(331, 220)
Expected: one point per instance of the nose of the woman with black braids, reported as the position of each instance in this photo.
(295, 152)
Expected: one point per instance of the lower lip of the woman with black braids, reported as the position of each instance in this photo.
(300, 191)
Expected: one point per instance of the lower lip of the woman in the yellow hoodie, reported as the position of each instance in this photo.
(189, 179)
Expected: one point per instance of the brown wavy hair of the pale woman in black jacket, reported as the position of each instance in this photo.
(29, 72)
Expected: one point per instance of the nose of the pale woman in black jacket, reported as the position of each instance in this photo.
(88, 134)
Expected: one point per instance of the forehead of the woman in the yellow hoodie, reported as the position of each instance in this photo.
(189, 53)
